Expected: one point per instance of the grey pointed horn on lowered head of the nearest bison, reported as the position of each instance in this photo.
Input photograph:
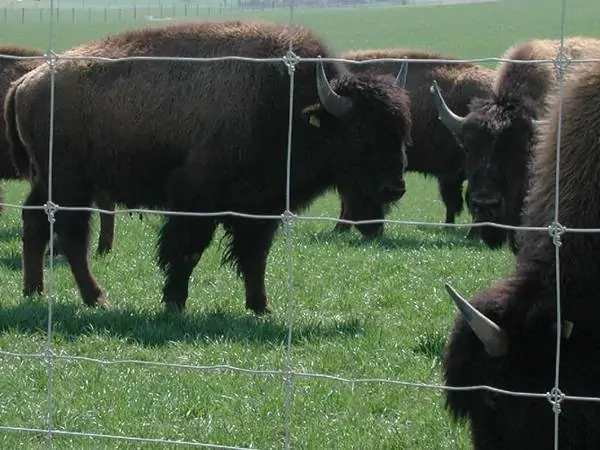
(489, 333)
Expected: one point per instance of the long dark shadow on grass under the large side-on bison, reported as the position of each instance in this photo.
(154, 329)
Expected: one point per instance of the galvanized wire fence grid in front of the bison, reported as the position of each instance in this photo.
(554, 229)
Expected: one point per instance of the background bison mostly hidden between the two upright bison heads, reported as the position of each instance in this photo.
(433, 151)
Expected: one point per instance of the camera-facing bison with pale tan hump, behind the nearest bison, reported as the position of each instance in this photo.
(499, 132)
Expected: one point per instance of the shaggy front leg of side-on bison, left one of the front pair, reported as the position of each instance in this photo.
(181, 244)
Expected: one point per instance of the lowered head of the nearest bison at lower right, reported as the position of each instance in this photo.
(506, 340)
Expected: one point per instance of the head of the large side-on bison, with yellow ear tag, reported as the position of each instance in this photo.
(366, 120)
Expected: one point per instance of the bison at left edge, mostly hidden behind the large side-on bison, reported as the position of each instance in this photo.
(11, 70)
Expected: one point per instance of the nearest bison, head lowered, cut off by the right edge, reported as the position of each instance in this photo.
(506, 337)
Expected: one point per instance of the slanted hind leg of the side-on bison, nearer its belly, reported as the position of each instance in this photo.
(73, 230)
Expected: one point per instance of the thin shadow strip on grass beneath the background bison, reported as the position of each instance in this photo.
(444, 238)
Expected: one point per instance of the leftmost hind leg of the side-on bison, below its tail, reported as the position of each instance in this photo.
(36, 233)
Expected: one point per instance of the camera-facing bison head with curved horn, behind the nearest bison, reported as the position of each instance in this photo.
(497, 137)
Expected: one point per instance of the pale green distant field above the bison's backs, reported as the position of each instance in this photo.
(477, 30)
